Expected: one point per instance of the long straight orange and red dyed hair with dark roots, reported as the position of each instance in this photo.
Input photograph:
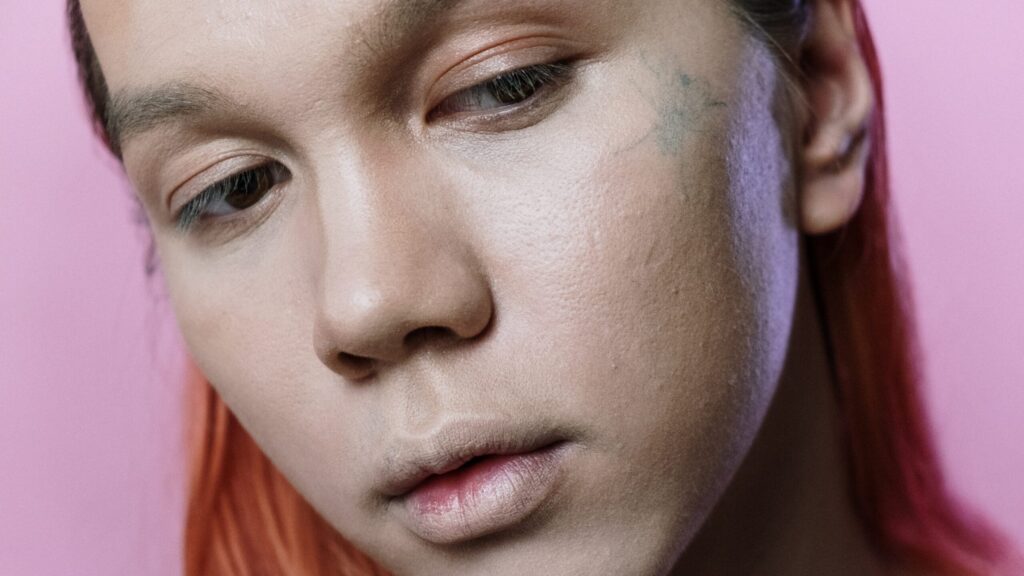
(244, 518)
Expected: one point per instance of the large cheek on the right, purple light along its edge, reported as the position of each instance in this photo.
(658, 297)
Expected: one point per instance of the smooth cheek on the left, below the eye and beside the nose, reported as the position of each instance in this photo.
(248, 325)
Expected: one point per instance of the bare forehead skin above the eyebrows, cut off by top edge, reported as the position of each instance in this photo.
(151, 42)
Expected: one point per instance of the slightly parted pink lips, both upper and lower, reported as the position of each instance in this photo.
(473, 479)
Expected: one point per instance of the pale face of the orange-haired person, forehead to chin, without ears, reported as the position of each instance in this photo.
(563, 231)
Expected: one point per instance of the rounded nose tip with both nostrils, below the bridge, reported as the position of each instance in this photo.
(364, 331)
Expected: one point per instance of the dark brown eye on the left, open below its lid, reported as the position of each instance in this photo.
(234, 194)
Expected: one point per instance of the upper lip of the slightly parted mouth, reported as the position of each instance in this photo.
(409, 462)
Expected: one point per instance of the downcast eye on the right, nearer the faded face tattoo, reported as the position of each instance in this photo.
(505, 92)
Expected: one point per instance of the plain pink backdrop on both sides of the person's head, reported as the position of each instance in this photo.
(90, 452)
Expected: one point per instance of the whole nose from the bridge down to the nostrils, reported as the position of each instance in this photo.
(395, 270)
